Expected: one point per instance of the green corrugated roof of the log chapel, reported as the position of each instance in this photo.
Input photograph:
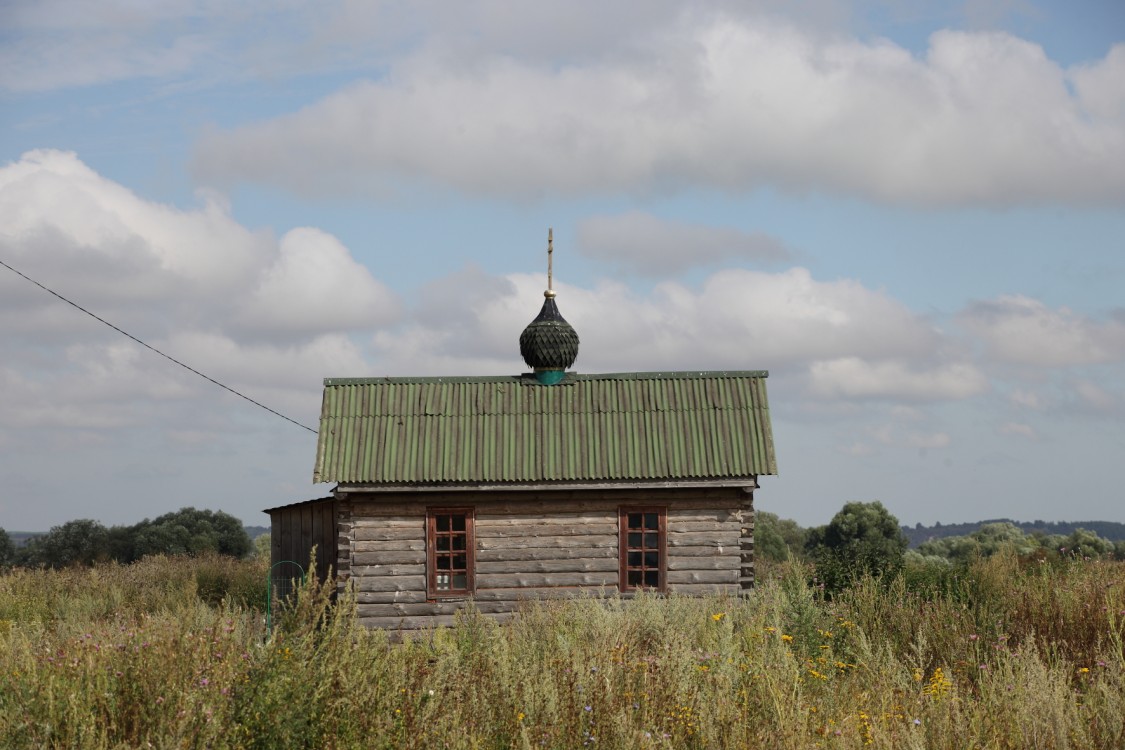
(638, 427)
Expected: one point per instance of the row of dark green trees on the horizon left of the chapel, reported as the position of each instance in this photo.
(85, 541)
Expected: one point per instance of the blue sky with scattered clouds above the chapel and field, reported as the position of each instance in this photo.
(911, 213)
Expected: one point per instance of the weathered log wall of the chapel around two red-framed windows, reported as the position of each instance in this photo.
(534, 546)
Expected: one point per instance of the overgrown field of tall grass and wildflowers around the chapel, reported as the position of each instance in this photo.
(175, 654)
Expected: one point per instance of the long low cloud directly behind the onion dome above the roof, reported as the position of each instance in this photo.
(839, 339)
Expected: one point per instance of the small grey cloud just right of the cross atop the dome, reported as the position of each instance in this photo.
(649, 246)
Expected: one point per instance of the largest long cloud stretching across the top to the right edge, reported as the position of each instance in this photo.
(726, 103)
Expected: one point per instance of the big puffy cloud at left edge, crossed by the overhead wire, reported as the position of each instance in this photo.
(264, 318)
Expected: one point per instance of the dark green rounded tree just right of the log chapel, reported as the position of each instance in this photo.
(862, 539)
